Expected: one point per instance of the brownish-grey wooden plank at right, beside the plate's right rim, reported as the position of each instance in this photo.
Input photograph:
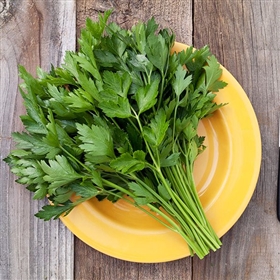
(245, 37)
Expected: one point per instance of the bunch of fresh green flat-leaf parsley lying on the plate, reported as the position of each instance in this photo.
(118, 120)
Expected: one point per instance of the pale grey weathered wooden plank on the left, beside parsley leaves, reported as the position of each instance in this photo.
(33, 33)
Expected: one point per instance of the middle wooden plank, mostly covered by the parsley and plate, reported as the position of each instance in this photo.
(90, 264)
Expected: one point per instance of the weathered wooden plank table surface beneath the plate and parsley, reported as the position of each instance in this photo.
(243, 34)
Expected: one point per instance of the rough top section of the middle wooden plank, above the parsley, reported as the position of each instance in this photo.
(173, 14)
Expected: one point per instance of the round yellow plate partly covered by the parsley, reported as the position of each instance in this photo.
(226, 174)
